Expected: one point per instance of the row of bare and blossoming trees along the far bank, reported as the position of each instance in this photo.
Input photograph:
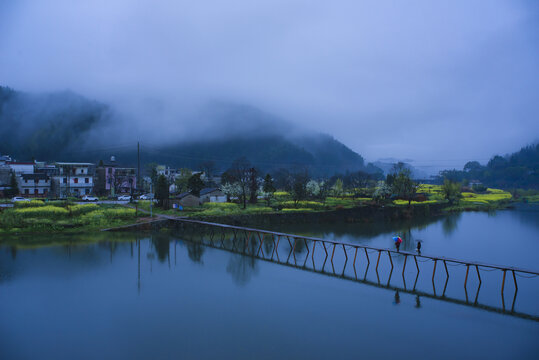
(246, 184)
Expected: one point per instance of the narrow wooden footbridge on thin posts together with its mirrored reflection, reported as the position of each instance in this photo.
(264, 245)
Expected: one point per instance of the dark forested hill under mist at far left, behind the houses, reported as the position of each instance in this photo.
(46, 127)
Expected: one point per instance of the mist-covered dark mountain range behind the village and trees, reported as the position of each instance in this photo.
(63, 126)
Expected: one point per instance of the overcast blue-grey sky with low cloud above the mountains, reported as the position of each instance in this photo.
(438, 82)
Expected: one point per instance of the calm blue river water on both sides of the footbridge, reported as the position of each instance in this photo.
(159, 296)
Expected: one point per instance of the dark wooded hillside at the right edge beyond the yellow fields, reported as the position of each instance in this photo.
(514, 171)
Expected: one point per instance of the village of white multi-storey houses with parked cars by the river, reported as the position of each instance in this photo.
(83, 181)
